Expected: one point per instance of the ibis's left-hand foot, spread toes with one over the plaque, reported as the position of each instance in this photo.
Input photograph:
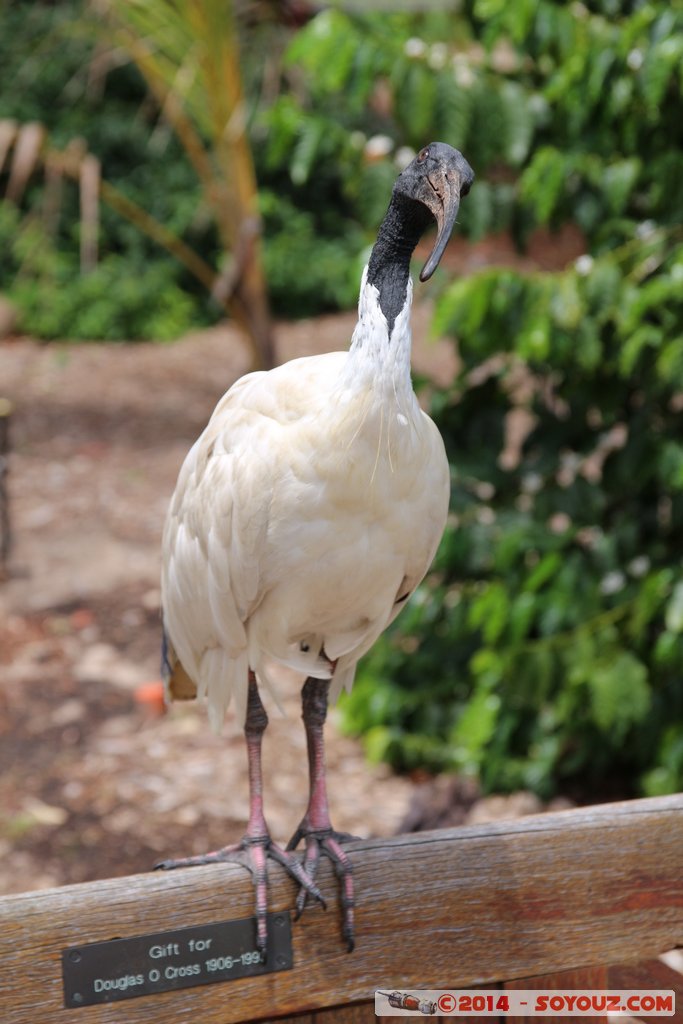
(252, 854)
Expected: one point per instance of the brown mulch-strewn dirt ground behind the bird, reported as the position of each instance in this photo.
(94, 781)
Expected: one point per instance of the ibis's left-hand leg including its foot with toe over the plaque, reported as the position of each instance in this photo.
(257, 846)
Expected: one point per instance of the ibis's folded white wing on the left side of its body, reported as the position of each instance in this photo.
(217, 529)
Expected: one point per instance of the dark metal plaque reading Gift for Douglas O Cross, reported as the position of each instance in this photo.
(124, 969)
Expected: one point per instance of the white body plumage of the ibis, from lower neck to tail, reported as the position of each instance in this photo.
(312, 504)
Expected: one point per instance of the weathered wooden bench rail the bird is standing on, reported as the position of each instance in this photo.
(446, 910)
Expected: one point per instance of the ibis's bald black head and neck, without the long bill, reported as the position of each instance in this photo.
(406, 221)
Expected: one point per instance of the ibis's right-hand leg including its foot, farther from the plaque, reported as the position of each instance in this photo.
(316, 827)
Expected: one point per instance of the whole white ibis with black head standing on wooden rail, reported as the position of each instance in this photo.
(304, 518)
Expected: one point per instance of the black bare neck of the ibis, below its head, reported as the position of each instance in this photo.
(390, 266)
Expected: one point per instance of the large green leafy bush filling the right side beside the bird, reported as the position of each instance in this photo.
(545, 649)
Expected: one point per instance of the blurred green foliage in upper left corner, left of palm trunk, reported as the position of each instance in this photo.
(138, 292)
